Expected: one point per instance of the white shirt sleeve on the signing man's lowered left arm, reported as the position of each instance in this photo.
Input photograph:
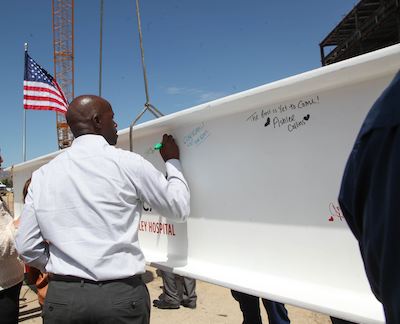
(29, 242)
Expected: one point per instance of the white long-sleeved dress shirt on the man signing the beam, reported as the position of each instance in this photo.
(87, 204)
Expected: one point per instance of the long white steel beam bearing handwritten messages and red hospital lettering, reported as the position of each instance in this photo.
(264, 167)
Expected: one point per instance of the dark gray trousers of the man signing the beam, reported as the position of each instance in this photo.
(121, 301)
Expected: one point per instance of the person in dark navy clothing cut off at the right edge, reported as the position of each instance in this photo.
(370, 198)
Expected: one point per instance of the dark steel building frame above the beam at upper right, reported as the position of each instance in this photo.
(371, 25)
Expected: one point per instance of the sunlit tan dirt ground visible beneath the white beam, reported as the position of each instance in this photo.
(215, 305)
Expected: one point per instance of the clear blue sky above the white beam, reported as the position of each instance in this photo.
(195, 51)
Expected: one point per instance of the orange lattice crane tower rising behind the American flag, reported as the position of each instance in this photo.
(63, 62)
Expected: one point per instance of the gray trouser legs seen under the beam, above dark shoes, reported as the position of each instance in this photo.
(171, 292)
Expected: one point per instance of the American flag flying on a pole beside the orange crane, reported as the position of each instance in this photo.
(41, 90)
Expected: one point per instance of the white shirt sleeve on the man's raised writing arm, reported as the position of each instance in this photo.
(170, 197)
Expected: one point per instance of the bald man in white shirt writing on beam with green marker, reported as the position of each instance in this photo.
(81, 216)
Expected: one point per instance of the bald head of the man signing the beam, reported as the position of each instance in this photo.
(89, 114)
